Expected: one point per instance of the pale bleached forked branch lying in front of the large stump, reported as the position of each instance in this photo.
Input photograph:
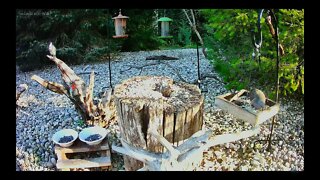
(182, 157)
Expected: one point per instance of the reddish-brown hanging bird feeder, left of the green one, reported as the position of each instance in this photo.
(120, 23)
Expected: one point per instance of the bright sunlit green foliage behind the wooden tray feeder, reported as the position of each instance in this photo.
(229, 38)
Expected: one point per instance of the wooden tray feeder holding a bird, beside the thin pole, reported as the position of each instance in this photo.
(239, 106)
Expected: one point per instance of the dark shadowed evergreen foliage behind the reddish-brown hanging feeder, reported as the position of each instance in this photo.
(80, 35)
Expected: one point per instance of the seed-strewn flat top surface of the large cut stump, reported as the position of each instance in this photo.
(177, 96)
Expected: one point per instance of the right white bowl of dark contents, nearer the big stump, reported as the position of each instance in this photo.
(93, 135)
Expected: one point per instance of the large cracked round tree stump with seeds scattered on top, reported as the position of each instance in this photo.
(175, 109)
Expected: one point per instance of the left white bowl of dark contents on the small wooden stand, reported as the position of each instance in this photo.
(65, 137)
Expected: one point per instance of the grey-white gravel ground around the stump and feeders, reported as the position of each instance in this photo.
(42, 113)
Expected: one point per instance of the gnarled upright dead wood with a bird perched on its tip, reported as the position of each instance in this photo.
(75, 89)
